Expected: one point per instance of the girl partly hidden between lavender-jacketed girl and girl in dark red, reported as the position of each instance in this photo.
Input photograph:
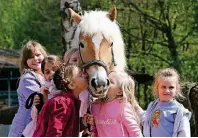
(49, 66)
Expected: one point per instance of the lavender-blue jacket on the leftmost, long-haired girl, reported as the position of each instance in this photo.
(29, 83)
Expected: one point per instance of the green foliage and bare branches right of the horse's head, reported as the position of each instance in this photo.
(157, 33)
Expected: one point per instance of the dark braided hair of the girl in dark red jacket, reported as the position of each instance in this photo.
(63, 77)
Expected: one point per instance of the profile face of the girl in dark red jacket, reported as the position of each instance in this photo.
(80, 81)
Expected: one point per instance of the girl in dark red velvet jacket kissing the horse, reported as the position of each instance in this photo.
(60, 115)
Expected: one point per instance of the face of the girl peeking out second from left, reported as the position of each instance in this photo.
(49, 70)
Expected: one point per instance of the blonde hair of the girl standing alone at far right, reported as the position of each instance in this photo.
(165, 73)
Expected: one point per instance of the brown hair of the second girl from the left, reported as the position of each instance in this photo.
(50, 59)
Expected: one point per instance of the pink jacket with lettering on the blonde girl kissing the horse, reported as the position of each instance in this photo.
(114, 119)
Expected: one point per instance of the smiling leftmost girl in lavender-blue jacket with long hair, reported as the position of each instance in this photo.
(31, 80)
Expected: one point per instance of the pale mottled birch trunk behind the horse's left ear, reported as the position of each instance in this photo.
(68, 26)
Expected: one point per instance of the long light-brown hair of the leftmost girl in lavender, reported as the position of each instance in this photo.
(26, 53)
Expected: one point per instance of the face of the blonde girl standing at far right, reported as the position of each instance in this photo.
(167, 89)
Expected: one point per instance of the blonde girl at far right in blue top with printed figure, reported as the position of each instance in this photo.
(165, 117)
